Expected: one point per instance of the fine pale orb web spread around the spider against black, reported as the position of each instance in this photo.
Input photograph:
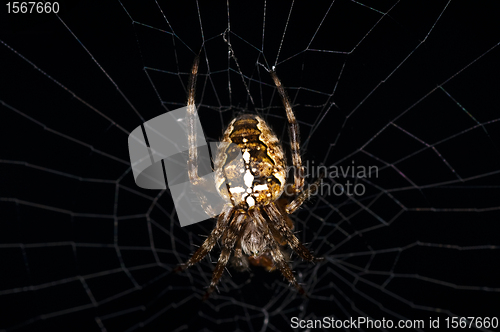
(407, 87)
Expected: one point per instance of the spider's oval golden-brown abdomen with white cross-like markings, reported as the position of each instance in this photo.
(252, 170)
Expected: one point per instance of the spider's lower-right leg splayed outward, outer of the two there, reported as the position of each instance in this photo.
(278, 222)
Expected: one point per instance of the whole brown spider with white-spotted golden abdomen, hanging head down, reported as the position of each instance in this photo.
(254, 223)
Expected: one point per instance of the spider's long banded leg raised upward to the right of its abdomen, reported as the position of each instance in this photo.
(293, 132)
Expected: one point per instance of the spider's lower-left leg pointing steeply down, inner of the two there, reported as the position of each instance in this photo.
(228, 242)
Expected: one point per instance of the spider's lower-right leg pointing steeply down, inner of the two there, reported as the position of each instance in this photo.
(277, 255)
